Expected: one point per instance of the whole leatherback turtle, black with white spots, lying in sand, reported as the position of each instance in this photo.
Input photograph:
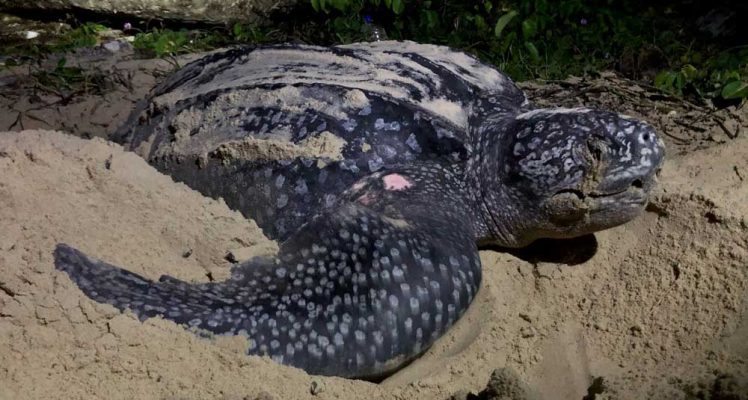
(378, 167)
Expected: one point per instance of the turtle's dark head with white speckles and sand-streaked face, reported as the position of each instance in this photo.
(570, 172)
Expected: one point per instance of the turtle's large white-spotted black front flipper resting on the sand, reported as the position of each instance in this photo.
(356, 292)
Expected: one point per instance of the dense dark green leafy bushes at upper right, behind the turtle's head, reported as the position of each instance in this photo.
(553, 39)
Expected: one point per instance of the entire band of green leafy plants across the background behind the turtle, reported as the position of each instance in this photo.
(528, 39)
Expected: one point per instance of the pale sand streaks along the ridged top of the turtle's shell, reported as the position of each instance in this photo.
(373, 72)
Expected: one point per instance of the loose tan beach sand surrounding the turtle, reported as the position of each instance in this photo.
(657, 308)
